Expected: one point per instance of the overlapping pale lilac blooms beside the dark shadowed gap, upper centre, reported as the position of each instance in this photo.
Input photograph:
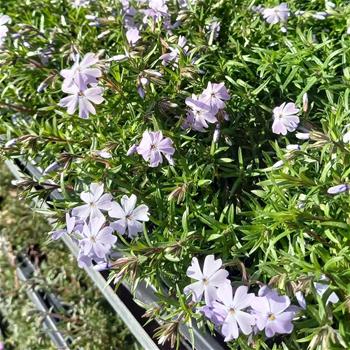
(206, 107)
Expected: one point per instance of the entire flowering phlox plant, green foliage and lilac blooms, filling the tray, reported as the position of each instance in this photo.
(182, 131)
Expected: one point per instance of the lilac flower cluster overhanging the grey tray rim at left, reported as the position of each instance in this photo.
(88, 225)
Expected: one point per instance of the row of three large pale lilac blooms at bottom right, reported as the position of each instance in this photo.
(238, 312)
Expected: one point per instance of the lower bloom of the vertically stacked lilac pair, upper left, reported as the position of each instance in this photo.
(82, 99)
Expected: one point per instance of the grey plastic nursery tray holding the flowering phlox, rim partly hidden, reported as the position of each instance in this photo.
(125, 307)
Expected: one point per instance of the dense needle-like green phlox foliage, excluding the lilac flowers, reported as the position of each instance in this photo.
(221, 198)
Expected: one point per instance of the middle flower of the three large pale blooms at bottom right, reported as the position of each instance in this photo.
(235, 318)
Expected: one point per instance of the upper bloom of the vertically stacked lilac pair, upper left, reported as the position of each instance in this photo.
(82, 73)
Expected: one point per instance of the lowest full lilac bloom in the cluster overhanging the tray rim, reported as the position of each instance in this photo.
(97, 239)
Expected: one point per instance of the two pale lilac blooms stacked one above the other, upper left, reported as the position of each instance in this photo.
(80, 82)
